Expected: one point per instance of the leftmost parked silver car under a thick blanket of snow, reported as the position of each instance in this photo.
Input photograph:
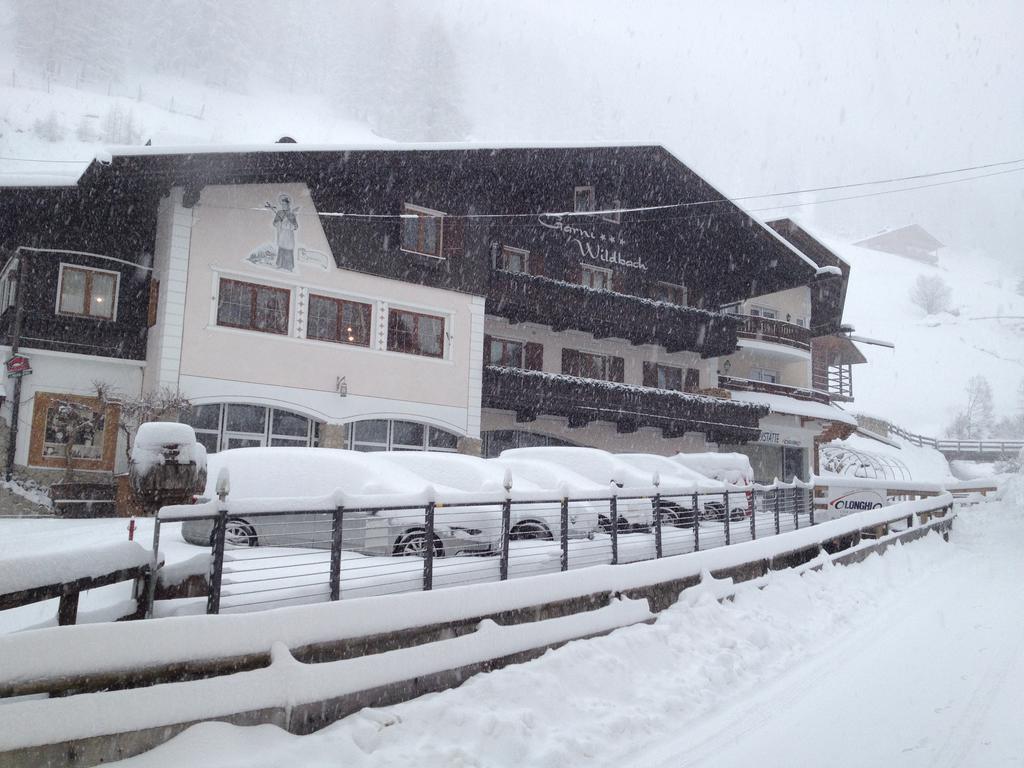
(268, 474)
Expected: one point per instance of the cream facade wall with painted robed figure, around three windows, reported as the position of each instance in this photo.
(215, 364)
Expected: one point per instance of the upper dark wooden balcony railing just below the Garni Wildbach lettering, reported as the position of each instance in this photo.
(527, 298)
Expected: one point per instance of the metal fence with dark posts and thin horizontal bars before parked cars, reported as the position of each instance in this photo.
(266, 559)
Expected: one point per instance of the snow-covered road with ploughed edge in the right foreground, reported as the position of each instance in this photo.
(914, 659)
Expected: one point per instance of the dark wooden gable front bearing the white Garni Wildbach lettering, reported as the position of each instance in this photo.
(702, 240)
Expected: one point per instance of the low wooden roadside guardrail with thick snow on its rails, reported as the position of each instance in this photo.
(108, 724)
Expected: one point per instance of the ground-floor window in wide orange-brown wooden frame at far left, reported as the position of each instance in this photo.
(73, 429)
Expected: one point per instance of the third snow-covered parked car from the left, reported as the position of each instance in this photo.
(605, 474)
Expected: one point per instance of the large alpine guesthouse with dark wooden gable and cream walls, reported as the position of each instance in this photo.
(457, 298)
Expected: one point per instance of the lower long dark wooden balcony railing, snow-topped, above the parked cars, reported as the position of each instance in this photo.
(531, 394)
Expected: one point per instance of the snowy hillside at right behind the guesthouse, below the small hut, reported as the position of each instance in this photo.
(921, 385)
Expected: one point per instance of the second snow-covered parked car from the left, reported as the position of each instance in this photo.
(529, 521)
